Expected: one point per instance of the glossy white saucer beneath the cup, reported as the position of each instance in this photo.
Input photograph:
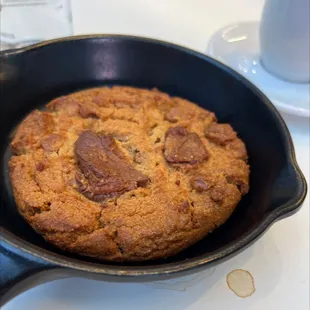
(238, 47)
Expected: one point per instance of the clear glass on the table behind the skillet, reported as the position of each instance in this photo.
(24, 22)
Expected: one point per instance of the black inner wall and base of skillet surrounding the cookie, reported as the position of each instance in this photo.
(36, 75)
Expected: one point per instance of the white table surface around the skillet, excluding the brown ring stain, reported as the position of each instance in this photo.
(279, 261)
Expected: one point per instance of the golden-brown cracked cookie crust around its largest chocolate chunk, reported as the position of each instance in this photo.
(195, 179)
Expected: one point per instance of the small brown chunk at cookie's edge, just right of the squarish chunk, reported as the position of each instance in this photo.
(220, 133)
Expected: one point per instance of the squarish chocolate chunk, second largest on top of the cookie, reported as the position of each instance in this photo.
(182, 146)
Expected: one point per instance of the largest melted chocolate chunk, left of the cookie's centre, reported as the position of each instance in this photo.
(104, 170)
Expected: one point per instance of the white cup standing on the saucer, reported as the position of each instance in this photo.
(284, 39)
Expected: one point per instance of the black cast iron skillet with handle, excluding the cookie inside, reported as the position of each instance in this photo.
(31, 76)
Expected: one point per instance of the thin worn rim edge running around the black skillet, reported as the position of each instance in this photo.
(286, 209)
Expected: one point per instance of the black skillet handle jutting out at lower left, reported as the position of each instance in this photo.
(20, 271)
